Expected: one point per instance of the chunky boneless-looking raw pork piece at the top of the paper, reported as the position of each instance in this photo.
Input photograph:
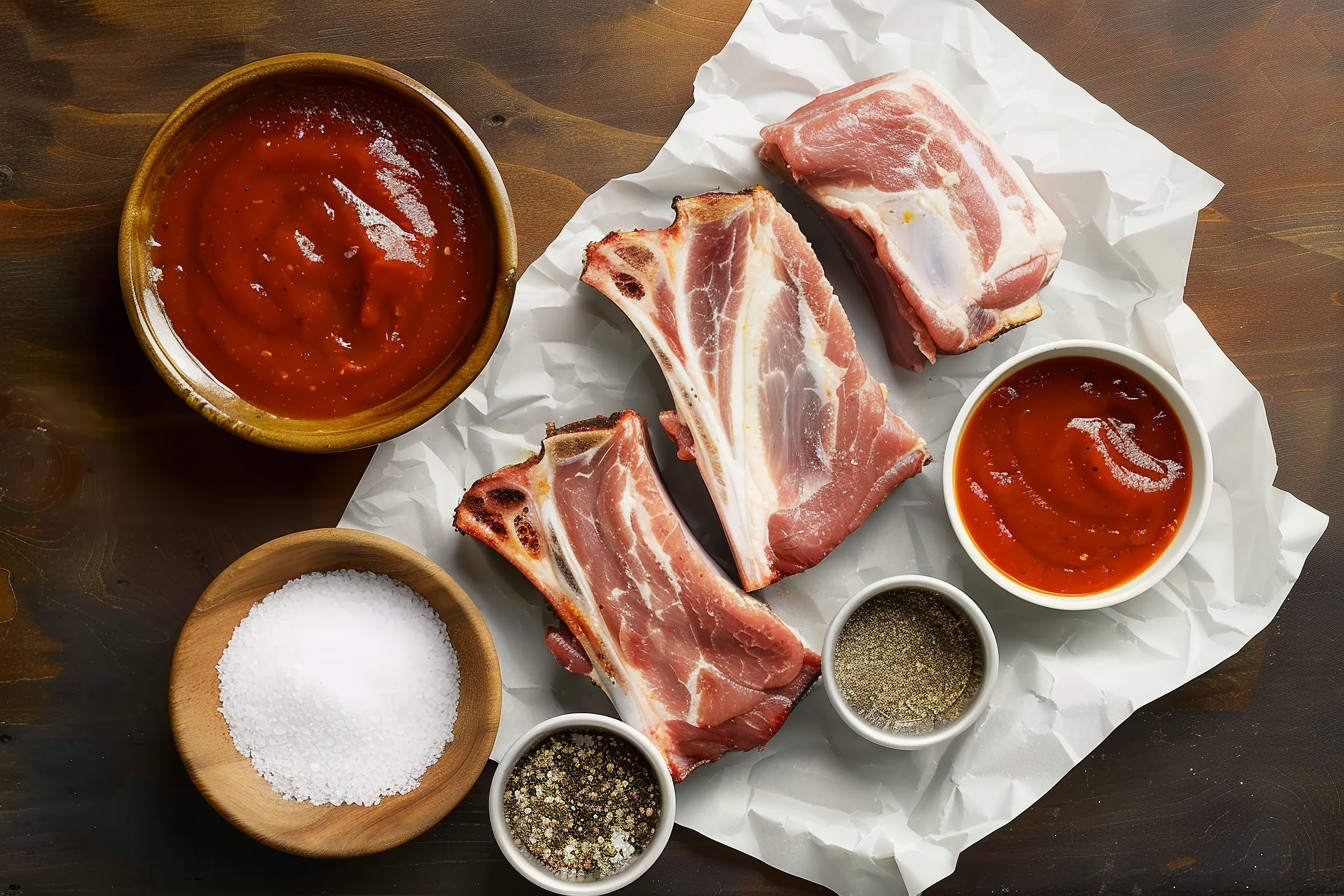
(951, 238)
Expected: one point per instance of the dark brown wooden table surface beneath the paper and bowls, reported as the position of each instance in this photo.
(119, 504)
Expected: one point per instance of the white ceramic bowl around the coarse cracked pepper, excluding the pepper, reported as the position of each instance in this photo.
(533, 870)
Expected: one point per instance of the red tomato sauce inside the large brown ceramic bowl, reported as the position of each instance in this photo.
(323, 249)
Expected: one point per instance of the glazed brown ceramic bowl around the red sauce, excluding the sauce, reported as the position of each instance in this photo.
(189, 377)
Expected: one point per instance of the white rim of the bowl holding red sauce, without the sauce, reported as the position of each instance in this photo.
(1202, 472)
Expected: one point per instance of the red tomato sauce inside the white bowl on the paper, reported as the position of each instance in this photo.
(1073, 476)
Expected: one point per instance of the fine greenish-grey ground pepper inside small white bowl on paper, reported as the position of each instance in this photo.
(908, 662)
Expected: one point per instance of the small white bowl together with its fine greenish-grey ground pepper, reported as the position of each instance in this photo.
(911, 663)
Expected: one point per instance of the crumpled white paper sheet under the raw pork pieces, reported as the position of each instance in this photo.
(819, 801)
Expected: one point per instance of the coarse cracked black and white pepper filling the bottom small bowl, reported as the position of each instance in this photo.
(583, 803)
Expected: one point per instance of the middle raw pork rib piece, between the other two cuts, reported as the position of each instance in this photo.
(791, 432)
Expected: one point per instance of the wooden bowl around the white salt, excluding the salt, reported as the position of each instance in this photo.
(228, 780)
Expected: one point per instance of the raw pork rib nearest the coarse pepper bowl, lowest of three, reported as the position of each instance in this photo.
(687, 658)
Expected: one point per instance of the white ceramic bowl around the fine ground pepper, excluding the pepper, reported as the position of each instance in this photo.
(990, 647)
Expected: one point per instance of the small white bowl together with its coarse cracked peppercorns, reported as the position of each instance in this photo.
(583, 804)
